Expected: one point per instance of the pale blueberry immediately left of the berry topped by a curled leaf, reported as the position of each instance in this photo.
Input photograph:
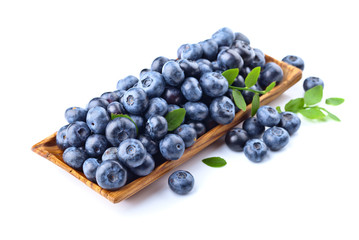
(97, 119)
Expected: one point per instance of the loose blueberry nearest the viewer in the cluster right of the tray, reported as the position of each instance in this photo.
(255, 150)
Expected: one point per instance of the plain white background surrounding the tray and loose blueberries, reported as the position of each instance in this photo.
(57, 54)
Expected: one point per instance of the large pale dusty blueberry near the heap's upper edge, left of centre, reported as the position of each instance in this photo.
(153, 84)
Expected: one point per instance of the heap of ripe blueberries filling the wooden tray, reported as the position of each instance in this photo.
(114, 151)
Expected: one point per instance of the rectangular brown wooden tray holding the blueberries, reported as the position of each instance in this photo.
(47, 148)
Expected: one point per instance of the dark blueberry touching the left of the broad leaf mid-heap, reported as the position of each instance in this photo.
(156, 127)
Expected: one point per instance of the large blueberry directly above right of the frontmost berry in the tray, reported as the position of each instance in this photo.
(131, 152)
